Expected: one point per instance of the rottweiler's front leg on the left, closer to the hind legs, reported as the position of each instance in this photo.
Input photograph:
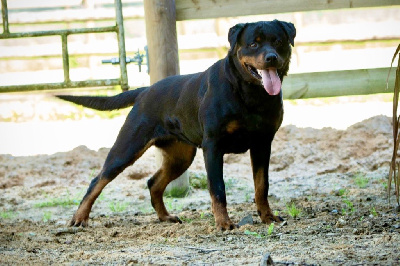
(213, 158)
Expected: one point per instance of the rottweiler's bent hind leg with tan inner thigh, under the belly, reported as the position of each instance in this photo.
(177, 157)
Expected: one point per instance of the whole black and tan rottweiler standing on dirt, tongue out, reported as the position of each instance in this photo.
(234, 106)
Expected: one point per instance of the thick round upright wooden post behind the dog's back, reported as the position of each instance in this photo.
(162, 46)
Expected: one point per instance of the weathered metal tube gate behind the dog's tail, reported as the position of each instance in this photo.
(118, 29)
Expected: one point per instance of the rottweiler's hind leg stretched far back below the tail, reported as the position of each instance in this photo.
(133, 140)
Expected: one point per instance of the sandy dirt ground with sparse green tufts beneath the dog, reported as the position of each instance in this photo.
(336, 178)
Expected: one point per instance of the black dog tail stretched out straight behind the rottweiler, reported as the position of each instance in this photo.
(105, 103)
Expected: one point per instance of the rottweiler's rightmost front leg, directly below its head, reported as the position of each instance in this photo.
(260, 156)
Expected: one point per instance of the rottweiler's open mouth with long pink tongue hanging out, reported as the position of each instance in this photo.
(268, 77)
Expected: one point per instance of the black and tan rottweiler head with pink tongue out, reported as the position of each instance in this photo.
(261, 52)
